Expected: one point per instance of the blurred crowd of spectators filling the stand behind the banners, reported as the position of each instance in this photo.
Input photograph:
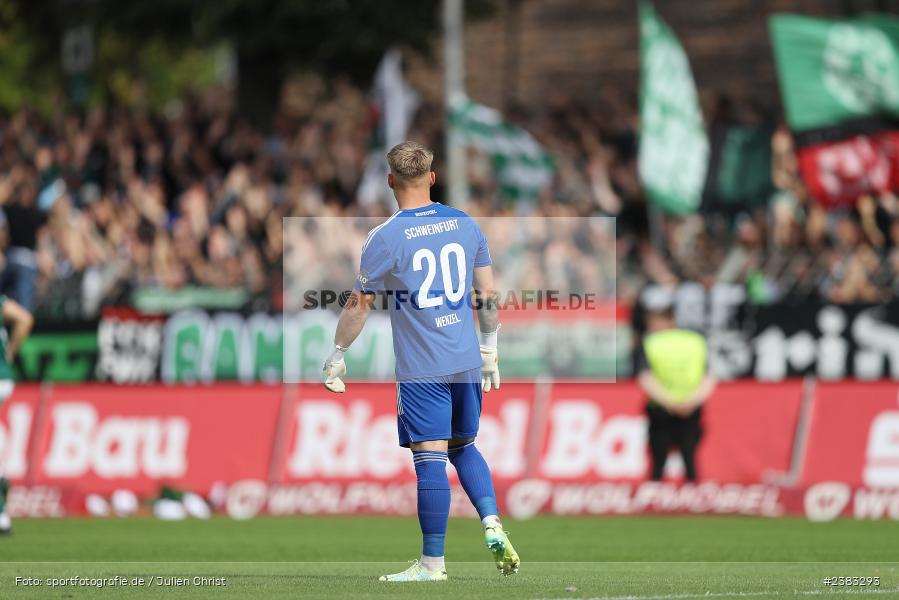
(99, 205)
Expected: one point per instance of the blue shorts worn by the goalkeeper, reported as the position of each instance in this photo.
(439, 408)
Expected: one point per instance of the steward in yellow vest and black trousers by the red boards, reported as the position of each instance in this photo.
(672, 369)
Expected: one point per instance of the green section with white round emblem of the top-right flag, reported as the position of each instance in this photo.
(836, 71)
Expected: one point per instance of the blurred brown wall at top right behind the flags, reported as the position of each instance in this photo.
(532, 49)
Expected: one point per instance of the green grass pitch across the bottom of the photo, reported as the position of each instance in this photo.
(627, 558)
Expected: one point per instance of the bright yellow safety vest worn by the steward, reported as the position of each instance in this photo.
(677, 359)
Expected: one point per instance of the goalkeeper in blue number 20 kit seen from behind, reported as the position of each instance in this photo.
(427, 258)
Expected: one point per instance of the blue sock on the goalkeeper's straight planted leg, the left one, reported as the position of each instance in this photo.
(433, 499)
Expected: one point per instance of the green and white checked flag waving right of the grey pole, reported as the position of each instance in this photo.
(521, 165)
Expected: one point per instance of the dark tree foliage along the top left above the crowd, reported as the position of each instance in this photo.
(270, 37)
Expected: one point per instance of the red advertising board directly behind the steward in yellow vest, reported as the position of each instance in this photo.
(594, 457)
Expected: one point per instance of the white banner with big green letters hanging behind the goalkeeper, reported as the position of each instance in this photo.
(198, 346)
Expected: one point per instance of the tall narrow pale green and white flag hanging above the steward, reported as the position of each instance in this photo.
(674, 148)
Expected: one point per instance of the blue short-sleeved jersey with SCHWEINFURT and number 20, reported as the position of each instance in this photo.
(424, 258)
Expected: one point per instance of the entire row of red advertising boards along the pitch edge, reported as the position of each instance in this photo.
(566, 448)
